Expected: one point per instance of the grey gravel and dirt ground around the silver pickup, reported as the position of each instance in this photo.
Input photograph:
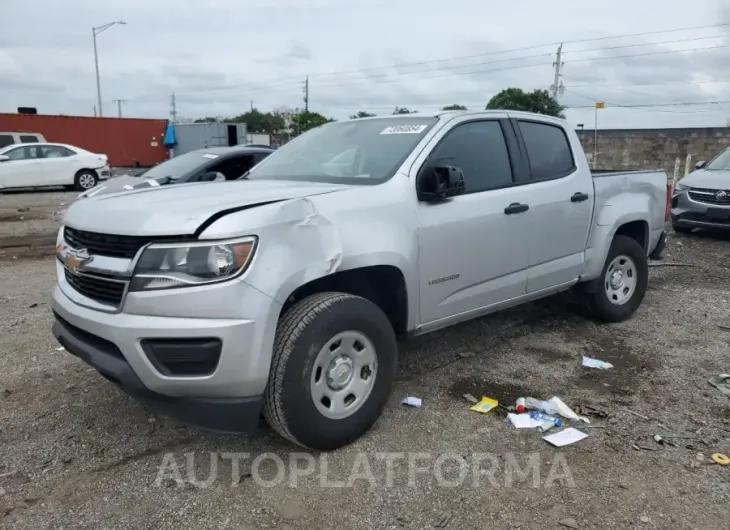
(76, 452)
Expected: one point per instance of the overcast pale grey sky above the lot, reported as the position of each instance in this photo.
(218, 56)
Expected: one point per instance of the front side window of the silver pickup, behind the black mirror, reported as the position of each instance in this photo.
(480, 151)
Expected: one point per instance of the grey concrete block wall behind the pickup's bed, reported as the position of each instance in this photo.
(632, 149)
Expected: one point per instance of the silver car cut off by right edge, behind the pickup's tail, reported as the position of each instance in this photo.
(702, 198)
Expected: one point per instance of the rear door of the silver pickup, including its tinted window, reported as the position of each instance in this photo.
(561, 199)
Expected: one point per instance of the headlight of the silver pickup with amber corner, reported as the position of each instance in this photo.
(170, 265)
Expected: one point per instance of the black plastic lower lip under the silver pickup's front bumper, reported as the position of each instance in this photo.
(225, 414)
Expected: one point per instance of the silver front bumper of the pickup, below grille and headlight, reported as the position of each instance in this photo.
(117, 345)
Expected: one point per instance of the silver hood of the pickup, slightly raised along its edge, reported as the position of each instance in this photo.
(180, 210)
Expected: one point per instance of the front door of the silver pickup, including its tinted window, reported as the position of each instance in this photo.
(473, 248)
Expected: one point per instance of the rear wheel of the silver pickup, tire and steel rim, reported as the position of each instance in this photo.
(612, 303)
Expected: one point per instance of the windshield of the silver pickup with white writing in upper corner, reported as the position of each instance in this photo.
(351, 152)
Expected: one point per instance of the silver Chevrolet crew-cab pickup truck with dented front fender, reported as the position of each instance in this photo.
(286, 291)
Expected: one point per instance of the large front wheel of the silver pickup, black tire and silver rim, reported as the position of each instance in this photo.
(290, 405)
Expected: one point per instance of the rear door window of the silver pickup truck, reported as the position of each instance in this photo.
(548, 150)
